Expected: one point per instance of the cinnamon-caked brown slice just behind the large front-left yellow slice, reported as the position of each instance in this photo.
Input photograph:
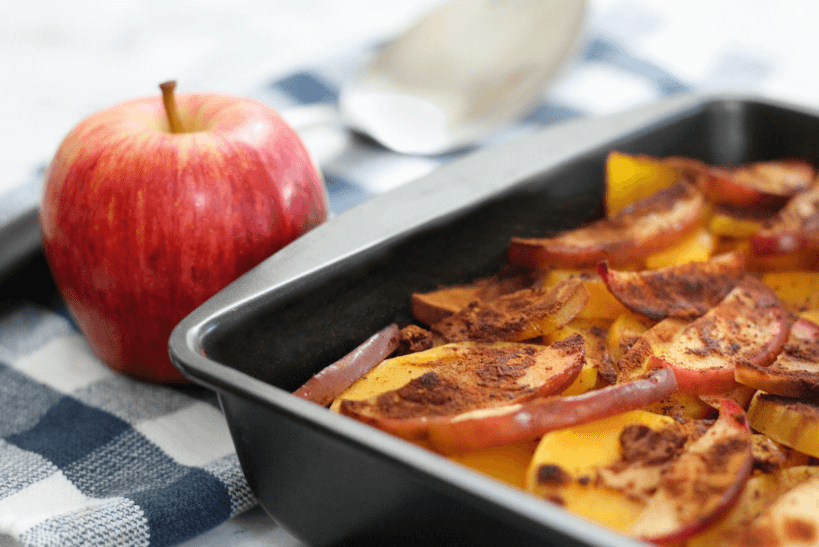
(515, 317)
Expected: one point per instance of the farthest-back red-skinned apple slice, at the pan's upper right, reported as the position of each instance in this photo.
(760, 185)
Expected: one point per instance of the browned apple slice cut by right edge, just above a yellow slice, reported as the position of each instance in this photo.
(795, 372)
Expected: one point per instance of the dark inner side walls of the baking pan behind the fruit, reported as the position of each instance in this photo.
(285, 337)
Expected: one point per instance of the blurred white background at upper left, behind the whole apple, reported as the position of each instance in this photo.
(62, 61)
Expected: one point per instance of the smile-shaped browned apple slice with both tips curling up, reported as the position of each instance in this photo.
(686, 291)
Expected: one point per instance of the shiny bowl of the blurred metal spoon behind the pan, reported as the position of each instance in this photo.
(461, 73)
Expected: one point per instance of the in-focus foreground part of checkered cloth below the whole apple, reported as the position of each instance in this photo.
(90, 458)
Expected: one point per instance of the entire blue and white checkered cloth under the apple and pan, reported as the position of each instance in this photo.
(89, 457)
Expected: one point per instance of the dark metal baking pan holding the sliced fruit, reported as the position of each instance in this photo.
(331, 480)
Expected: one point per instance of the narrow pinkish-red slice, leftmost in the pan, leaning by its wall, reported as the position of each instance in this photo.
(329, 382)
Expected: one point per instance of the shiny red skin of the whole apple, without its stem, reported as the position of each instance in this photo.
(140, 225)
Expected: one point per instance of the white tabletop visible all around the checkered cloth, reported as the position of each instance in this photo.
(64, 60)
